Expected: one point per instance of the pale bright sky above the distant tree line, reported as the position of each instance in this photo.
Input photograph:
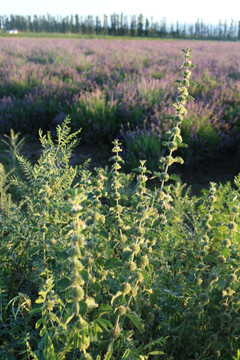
(185, 11)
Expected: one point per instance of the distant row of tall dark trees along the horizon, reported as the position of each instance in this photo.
(120, 25)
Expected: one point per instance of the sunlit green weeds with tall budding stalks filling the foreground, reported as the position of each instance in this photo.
(94, 268)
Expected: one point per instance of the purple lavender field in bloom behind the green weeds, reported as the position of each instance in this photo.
(121, 89)
